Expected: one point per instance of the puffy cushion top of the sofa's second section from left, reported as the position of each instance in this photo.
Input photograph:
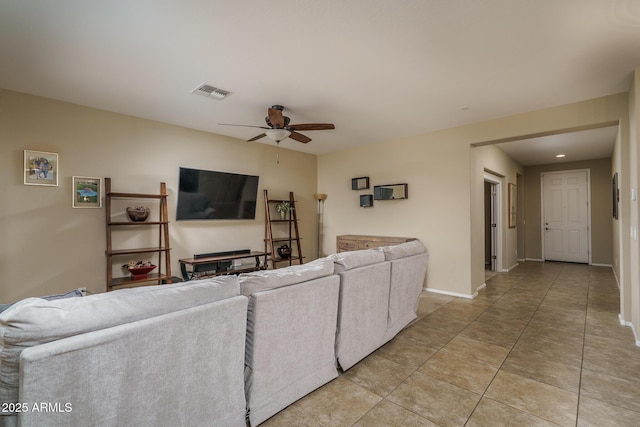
(270, 279)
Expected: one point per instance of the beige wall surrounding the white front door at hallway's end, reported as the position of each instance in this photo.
(600, 208)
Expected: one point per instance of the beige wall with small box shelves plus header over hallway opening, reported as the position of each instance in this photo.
(444, 186)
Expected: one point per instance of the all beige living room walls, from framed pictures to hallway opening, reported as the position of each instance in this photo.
(46, 246)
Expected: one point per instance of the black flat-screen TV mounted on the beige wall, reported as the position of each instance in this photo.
(216, 195)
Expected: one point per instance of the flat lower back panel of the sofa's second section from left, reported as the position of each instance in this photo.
(290, 347)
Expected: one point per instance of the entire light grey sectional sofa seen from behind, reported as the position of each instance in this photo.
(221, 351)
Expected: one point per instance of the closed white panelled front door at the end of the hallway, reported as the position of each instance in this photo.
(566, 216)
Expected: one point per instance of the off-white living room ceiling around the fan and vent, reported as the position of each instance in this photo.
(378, 69)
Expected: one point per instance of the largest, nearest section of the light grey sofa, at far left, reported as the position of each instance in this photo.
(156, 355)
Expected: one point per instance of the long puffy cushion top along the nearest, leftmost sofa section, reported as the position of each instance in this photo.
(34, 321)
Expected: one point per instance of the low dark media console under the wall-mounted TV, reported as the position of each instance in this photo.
(220, 263)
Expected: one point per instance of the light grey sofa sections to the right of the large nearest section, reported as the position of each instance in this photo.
(306, 319)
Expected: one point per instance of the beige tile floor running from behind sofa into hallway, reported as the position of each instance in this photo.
(539, 346)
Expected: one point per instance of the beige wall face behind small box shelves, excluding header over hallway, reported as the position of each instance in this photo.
(437, 210)
